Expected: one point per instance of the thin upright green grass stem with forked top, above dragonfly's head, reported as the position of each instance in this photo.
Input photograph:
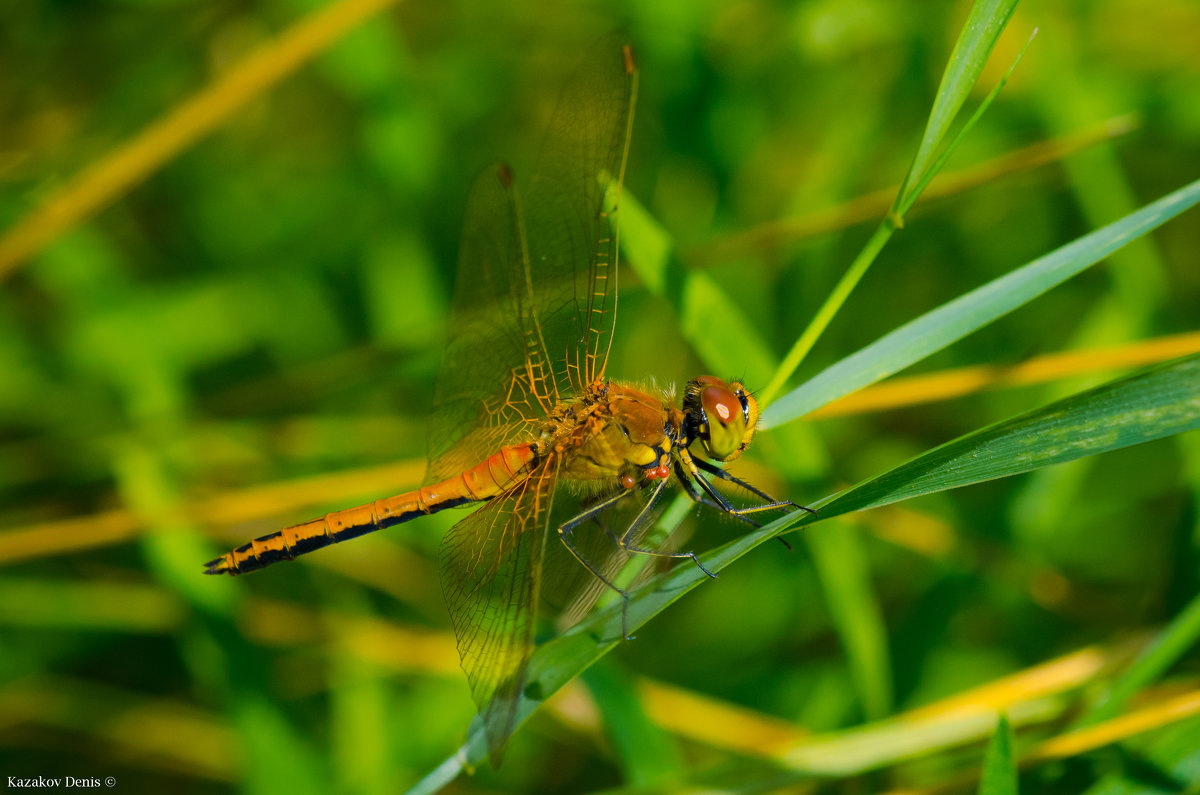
(976, 43)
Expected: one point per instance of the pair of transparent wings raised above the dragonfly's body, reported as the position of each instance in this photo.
(536, 298)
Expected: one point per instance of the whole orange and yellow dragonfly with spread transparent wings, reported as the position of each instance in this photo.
(563, 462)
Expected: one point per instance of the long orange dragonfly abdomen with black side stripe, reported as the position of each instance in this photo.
(477, 485)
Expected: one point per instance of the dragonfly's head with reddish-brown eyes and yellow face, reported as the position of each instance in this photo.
(719, 416)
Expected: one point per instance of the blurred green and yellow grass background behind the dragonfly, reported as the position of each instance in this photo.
(179, 374)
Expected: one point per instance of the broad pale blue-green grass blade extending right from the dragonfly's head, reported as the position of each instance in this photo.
(953, 321)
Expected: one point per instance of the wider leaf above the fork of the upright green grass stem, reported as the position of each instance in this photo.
(986, 22)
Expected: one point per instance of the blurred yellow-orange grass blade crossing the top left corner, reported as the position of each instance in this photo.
(184, 125)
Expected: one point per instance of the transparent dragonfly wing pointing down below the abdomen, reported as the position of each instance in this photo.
(491, 571)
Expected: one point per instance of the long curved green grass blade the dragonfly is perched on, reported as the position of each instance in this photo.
(1154, 404)
